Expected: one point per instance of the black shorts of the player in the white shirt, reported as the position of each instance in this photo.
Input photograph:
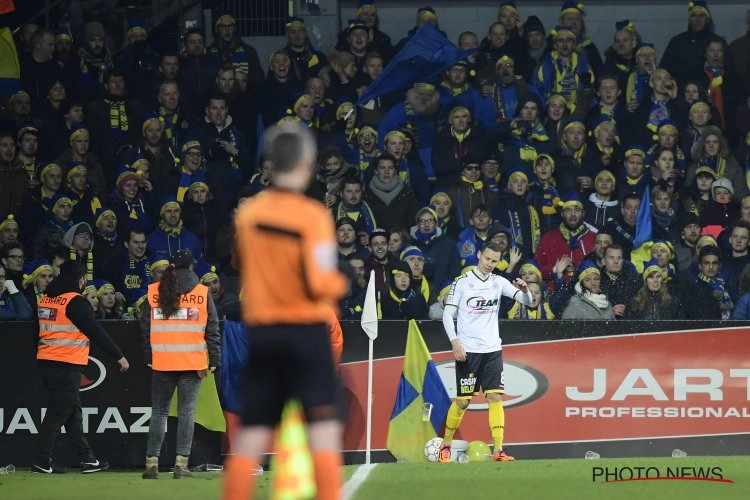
(481, 369)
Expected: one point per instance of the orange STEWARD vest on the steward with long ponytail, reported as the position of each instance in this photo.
(179, 342)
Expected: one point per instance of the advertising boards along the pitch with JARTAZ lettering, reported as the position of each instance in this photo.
(621, 388)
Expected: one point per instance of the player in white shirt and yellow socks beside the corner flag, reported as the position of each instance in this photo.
(475, 298)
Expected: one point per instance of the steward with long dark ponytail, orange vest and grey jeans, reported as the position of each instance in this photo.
(181, 344)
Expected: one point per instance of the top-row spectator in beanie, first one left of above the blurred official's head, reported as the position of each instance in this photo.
(229, 49)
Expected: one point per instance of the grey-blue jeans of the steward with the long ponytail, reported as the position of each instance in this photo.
(162, 388)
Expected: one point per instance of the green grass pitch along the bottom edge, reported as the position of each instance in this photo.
(537, 479)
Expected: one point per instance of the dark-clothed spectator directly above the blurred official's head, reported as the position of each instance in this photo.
(277, 91)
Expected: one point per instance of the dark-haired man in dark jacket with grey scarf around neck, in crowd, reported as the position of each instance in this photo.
(390, 198)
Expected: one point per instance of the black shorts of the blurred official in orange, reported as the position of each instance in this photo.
(289, 361)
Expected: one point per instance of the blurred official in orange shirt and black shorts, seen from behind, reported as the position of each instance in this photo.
(286, 251)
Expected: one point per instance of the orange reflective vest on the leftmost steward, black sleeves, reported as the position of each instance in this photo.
(59, 338)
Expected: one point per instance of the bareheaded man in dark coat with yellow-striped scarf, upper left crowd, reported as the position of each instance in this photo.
(110, 119)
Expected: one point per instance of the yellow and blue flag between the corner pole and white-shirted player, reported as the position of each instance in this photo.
(419, 384)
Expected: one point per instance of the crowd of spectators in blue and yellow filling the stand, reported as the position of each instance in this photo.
(537, 141)
